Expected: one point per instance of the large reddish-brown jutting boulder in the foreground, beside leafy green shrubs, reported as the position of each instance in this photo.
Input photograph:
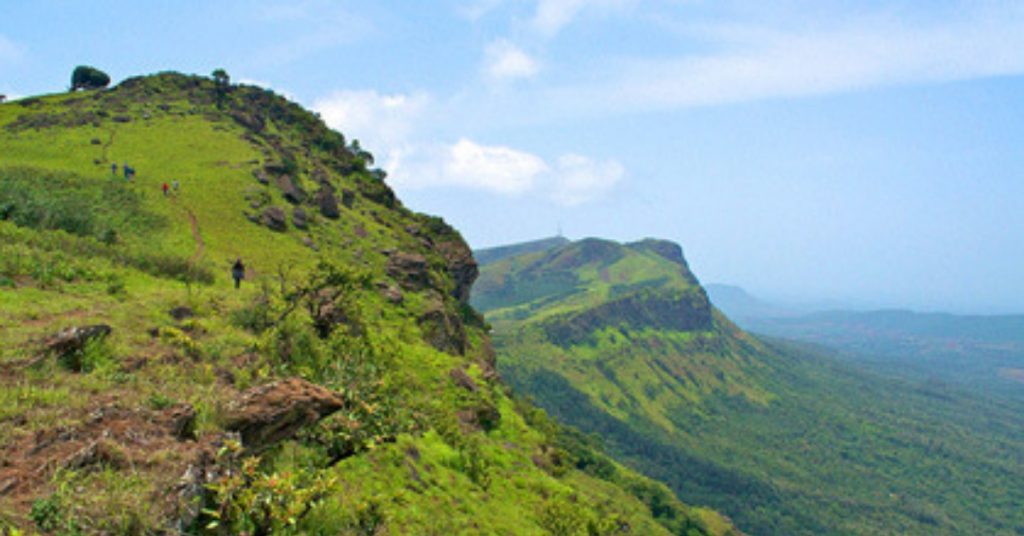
(275, 413)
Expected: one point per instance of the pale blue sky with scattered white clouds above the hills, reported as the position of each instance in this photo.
(864, 152)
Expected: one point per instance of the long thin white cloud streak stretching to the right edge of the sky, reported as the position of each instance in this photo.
(758, 63)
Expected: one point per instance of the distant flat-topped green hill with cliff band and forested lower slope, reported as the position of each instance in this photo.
(621, 341)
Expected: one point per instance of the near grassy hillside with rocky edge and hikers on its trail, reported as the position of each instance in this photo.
(348, 387)
